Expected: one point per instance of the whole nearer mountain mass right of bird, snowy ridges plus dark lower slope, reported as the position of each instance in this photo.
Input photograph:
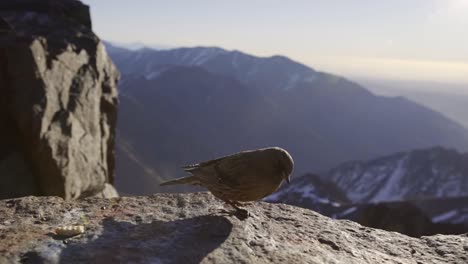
(421, 192)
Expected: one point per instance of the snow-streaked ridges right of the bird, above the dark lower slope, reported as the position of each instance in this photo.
(424, 174)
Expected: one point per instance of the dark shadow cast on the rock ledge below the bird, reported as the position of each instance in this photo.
(180, 241)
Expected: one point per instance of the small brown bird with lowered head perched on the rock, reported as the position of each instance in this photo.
(242, 177)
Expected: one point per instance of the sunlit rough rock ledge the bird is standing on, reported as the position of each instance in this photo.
(190, 228)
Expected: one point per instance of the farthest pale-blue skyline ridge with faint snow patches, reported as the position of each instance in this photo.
(275, 73)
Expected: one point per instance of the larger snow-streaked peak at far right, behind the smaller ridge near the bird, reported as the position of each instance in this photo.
(416, 175)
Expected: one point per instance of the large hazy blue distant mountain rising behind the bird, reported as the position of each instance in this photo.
(185, 105)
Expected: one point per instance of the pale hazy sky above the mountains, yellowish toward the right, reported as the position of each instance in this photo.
(392, 39)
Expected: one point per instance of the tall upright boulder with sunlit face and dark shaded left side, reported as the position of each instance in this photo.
(58, 102)
